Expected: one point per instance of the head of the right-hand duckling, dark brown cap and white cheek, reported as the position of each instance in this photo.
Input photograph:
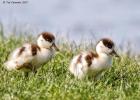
(106, 46)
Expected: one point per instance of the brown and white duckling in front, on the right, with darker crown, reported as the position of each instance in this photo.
(92, 64)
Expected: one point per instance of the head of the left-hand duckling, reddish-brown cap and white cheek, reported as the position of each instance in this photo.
(47, 40)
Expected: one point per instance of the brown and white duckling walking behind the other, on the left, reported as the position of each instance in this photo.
(31, 56)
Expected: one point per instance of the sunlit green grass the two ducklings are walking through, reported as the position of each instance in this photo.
(54, 82)
